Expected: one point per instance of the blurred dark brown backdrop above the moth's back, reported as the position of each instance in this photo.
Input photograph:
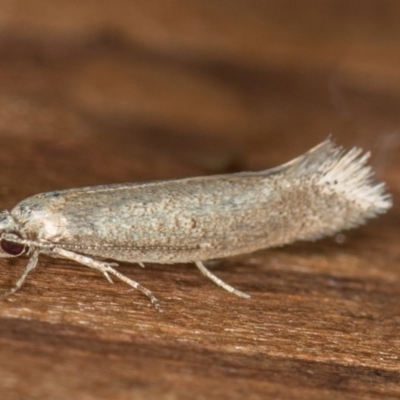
(100, 91)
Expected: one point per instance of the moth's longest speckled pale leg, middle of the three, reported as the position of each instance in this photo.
(105, 268)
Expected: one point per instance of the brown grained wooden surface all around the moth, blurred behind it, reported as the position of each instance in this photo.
(95, 92)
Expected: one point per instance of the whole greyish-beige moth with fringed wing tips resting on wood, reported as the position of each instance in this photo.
(320, 193)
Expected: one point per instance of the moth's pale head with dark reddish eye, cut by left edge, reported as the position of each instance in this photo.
(11, 241)
